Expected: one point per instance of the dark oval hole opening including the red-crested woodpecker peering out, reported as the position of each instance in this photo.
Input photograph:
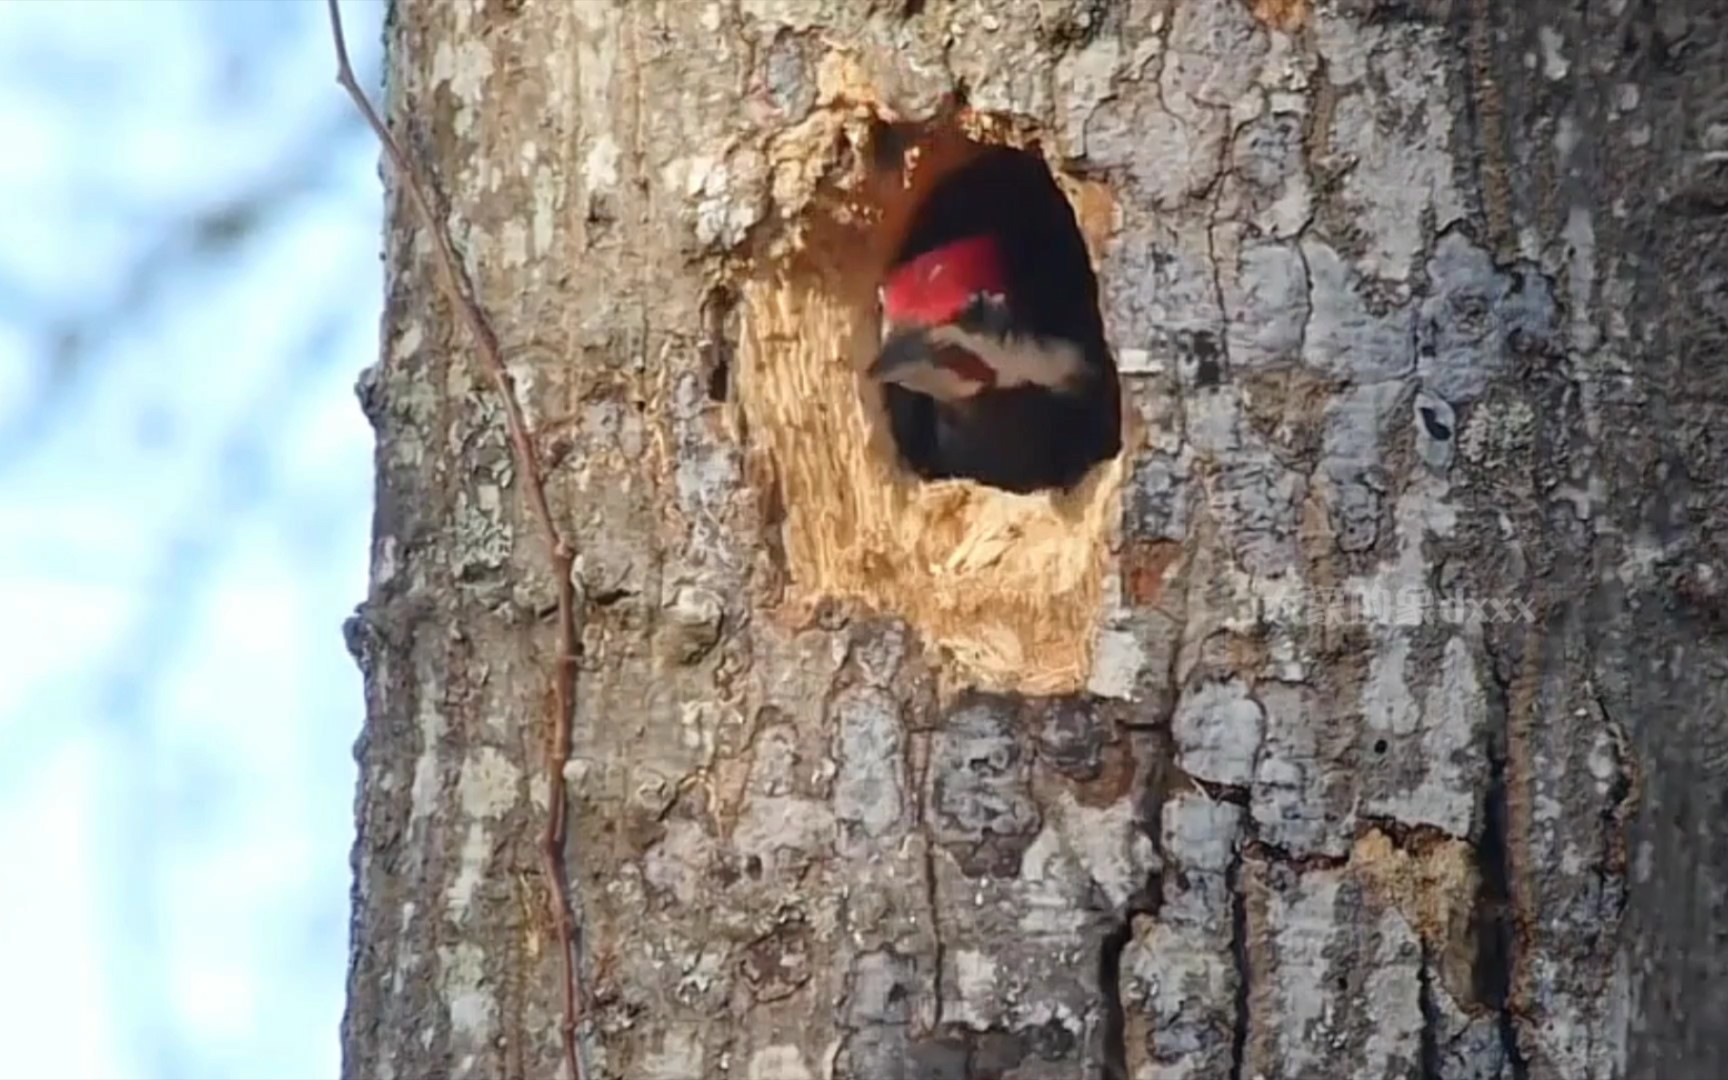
(993, 360)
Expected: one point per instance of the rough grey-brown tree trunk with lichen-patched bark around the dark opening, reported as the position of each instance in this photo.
(1361, 720)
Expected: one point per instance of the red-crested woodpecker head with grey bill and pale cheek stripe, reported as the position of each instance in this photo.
(951, 333)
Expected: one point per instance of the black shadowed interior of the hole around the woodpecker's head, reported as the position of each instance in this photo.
(1019, 440)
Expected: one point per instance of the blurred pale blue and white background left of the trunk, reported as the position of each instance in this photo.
(189, 288)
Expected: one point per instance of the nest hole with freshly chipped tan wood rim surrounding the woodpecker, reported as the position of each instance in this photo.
(1007, 581)
